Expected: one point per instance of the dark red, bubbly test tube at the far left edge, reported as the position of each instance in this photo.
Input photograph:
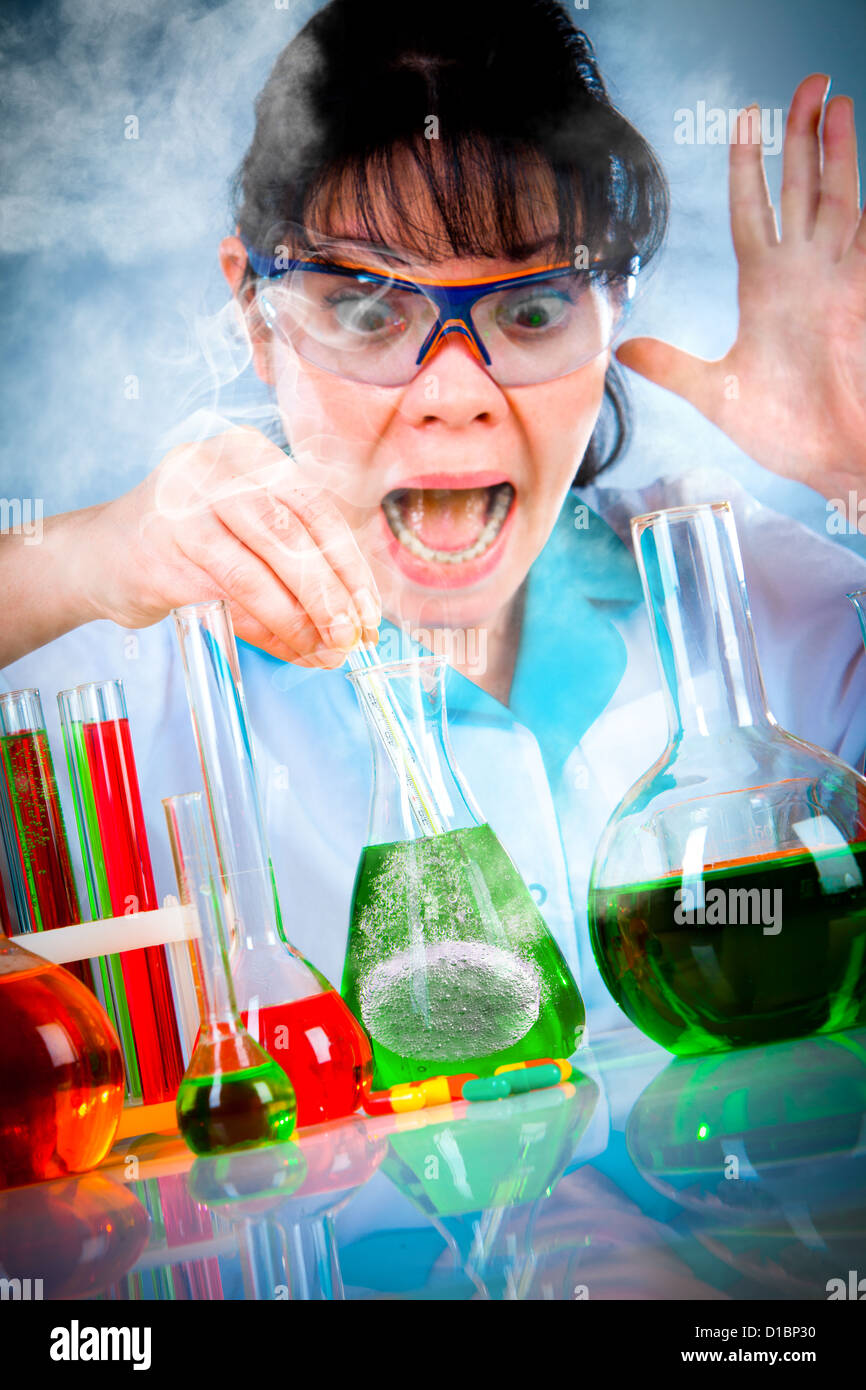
(31, 821)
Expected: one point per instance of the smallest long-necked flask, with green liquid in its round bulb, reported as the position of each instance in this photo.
(233, 1095)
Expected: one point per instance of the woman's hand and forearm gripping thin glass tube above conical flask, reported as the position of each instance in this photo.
(230, 518)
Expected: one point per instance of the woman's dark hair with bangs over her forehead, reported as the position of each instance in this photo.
(516, 94)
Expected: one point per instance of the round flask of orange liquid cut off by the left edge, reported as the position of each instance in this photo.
(62, 1079)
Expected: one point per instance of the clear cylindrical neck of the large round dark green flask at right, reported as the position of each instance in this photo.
(692, 571)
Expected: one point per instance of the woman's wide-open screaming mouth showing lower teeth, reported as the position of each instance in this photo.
(448, 526)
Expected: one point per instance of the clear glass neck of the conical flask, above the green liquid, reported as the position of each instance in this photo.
(418, 789)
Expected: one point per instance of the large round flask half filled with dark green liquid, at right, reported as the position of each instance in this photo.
(728, 897)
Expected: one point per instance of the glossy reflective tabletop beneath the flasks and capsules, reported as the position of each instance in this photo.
(726, 1178)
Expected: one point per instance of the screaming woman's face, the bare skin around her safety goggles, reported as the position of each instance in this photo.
(419, 471)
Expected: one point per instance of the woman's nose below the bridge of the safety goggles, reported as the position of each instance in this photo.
(452, 387)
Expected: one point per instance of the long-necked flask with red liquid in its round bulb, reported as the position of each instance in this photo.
(288, 1006)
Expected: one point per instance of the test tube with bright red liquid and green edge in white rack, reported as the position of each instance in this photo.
(120, 881)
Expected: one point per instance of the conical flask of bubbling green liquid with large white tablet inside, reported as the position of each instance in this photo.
(450, 964)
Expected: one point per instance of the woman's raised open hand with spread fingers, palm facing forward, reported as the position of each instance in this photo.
(792, 390)
